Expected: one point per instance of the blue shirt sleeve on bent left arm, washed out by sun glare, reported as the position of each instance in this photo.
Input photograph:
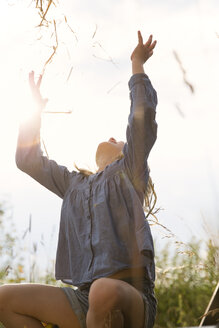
(30, 159)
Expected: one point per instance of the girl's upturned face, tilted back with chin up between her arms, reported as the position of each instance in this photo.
(107, 151)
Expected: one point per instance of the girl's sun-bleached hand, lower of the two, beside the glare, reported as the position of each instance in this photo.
(35, 89)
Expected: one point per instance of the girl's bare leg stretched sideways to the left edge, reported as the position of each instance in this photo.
(26, 305)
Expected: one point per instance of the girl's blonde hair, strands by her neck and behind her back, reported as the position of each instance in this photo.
(150, 198)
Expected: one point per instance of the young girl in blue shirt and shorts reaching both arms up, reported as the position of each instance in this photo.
(105, 246)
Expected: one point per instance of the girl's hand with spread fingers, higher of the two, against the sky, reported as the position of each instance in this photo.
(143, 51)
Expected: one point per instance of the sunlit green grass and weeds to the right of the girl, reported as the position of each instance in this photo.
(185, 283)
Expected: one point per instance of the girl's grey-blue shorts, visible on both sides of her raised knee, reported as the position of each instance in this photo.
(78, 299)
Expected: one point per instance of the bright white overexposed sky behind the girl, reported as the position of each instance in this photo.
(89, 75)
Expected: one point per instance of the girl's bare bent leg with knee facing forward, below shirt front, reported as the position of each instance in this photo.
(114, 303)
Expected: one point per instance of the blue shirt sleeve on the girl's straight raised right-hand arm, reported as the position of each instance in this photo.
(141, 131)
